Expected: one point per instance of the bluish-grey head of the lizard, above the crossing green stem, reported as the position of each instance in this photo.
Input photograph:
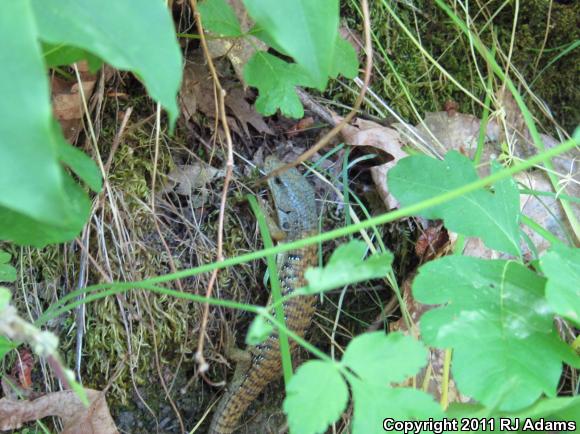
(293, 199)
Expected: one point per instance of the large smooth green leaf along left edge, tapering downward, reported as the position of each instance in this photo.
(30, 175)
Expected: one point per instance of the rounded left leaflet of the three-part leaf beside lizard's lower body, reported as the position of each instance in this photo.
(316, 396)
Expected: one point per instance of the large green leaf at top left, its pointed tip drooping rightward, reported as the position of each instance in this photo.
(141, 39)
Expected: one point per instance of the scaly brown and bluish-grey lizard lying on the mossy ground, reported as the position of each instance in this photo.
(296, 211)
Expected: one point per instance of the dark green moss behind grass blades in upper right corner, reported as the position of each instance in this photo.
(429, 89)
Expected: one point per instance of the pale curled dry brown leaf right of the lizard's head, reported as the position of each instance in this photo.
(387, 140)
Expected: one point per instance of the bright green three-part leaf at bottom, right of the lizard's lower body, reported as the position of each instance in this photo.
(370, 364)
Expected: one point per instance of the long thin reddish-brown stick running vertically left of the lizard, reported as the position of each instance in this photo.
(203, 366)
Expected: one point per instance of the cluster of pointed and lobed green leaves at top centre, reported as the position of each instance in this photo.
(303, 30)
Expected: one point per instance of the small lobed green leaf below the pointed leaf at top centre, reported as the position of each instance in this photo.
(276, 81)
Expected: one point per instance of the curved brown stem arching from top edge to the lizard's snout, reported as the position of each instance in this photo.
(367, 77)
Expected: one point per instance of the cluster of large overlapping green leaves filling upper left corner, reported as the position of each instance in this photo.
(40, 202)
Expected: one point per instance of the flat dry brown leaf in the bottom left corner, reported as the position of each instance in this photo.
(76, 418)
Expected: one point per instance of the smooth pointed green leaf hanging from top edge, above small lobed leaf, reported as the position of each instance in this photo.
(306, 30)
